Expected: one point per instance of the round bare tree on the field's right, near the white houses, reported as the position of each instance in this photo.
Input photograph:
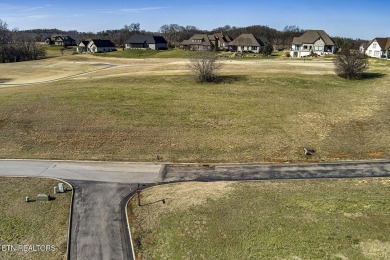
(350, 64)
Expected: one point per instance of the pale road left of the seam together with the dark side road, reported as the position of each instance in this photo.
(101, 190)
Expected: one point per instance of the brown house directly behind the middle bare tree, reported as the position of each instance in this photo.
(200, 42)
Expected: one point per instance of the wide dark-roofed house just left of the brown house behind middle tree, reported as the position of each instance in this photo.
(147, 42)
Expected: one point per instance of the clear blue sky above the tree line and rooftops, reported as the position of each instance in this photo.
(355, 19)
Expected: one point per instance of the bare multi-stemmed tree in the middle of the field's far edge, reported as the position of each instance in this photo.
(204, 64)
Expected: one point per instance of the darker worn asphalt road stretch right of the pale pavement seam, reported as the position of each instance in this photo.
(174, 173)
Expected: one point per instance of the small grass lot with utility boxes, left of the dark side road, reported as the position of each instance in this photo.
(33, 223)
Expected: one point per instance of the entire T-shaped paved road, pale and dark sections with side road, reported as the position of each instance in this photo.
(101, 190)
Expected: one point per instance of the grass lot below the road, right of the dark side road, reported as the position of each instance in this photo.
(305, 219)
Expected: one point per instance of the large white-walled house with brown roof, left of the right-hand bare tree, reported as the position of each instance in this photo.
(312, 41)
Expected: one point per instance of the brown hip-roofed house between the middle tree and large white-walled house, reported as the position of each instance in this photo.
(246, 43)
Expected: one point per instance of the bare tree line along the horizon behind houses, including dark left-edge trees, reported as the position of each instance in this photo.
(18, 45)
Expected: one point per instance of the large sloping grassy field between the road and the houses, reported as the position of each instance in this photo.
(135, 110)
